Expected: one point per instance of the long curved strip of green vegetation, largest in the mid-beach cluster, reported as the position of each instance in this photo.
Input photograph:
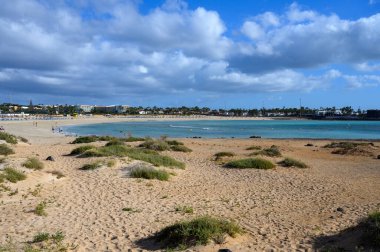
(149, 156)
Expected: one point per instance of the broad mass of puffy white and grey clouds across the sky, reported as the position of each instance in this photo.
(110, 48)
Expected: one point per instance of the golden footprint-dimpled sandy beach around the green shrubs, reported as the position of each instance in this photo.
(283, 209)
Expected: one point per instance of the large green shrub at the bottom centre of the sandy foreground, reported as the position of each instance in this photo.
(197, 231)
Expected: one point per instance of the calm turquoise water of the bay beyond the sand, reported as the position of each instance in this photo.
(237, 129)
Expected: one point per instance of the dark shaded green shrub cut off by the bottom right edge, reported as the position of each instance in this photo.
(372, 229)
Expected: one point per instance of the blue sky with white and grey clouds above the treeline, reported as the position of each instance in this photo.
(215, 53)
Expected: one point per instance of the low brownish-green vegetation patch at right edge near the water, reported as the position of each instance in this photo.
(351, 148)
